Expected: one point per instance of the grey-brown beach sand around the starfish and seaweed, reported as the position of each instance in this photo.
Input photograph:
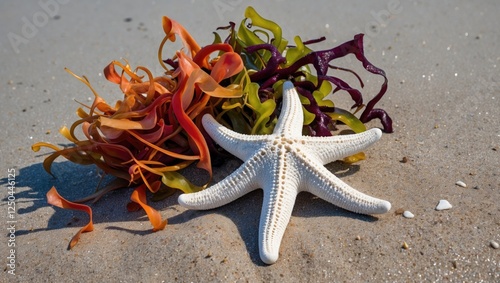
(442, 62)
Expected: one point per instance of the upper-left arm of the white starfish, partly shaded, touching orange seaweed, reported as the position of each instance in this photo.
(239, 145)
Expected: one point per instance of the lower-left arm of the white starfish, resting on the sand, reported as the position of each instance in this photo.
(242, 181)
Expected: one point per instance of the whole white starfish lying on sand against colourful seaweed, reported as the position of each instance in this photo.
(284, 164)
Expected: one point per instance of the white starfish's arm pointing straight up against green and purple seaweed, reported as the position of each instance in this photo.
(291, 117)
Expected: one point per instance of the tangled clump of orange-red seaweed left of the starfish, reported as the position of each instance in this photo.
(150, 134)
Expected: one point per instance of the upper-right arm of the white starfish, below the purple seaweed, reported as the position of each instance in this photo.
(329, 149)
